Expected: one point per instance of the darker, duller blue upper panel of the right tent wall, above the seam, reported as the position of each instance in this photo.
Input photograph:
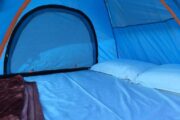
(133, 12)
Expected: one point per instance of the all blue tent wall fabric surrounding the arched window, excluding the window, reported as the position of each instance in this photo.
(151, 13)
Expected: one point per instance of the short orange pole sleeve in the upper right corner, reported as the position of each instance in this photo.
(171, 11)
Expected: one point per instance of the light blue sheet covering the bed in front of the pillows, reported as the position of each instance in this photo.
(88, 95)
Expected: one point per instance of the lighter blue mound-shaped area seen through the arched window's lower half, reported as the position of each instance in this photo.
(59, 58)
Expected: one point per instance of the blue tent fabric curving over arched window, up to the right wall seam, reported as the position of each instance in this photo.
(100, 20)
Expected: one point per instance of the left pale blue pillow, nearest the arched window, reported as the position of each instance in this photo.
(123, 68)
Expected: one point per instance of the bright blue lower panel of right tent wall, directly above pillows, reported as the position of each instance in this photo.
(157, 43)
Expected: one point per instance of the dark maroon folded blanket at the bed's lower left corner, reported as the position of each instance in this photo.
(19, 100)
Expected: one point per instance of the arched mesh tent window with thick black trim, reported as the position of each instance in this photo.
(49, 38)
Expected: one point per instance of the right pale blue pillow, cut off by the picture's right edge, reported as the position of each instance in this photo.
(165, 77)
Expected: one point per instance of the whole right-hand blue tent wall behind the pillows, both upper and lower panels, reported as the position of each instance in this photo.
(145, 30)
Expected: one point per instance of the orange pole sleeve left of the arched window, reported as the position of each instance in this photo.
(12, 25)
